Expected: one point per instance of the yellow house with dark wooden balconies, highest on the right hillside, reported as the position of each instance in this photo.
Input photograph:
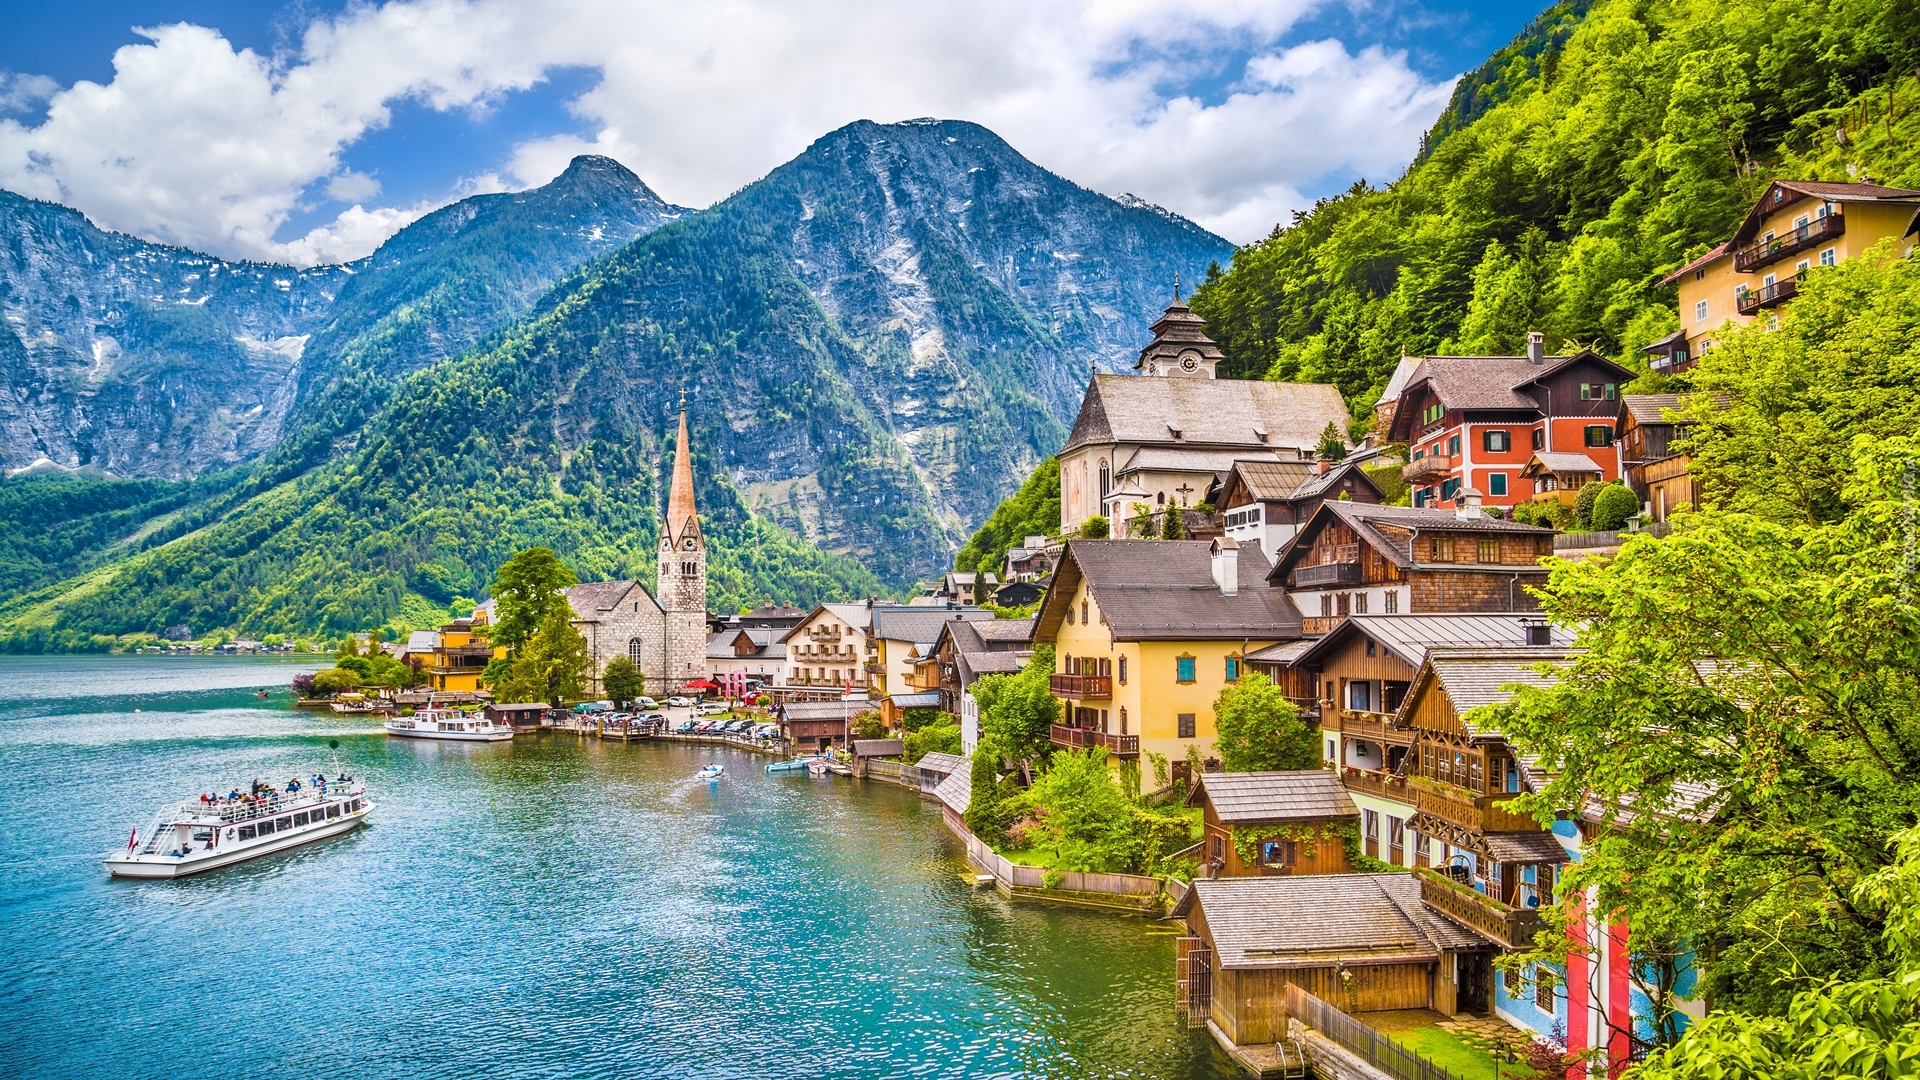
(1794, 230)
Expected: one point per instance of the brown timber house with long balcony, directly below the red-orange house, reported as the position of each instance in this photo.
(1395, 560)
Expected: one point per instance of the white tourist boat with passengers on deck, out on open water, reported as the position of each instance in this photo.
(210, 835)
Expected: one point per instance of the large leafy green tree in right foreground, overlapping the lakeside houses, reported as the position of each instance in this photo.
(1744, 718)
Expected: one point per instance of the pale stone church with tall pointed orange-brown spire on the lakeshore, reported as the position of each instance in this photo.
(663, 635)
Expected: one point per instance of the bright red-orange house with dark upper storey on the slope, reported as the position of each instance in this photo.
(1476, 422)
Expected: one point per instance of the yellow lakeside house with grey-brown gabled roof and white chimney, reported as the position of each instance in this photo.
(1147, 633)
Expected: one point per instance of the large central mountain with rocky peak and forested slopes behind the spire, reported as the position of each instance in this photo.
(875, 341)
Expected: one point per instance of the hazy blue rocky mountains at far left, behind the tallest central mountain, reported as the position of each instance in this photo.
(147, 360)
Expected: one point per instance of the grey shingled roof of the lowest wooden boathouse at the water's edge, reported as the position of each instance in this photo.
(1324, 921)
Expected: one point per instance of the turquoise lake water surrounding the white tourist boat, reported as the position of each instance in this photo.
(544, 908)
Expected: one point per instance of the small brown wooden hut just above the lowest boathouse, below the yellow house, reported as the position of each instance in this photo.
(1291, 823)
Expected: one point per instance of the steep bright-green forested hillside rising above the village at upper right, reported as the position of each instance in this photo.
(1587, 160)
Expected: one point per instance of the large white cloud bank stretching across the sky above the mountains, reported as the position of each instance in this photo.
(210, 147)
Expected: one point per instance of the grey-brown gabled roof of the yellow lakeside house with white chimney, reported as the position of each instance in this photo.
(1163, 591)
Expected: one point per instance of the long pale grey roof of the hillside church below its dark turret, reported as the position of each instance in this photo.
(1205, 412)
